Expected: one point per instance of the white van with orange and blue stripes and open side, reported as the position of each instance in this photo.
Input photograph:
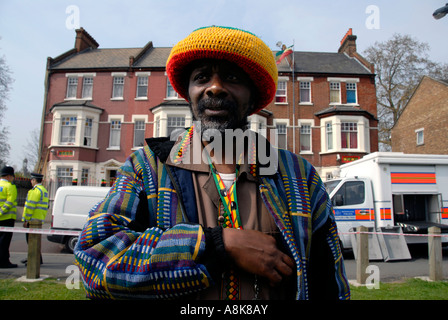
(391, 190)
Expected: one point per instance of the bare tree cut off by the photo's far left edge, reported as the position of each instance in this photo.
(5, 86)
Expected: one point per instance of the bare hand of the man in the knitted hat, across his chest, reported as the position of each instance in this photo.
(257, 253)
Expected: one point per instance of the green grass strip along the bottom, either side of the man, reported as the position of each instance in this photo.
(53, 289)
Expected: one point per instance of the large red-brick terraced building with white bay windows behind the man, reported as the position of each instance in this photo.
(100, 105)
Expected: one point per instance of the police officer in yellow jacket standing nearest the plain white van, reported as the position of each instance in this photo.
(36, 205)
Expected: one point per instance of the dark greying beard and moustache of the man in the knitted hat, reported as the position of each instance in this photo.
(231, 119)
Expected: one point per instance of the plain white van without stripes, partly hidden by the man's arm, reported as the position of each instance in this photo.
(70, 211)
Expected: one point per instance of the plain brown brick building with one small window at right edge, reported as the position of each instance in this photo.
(421, 126)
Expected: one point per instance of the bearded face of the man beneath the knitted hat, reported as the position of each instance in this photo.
(220, 95)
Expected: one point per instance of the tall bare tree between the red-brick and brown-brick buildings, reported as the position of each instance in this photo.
(400, 63)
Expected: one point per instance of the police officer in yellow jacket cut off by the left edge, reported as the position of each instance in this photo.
(8, 210)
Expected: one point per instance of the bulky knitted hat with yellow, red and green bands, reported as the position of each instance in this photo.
(238, 46)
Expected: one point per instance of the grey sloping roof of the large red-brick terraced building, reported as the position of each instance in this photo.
(150, 57)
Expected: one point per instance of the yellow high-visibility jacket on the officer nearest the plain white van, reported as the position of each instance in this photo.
(36, 204)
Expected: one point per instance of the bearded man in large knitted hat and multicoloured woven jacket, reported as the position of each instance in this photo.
(205, 218)
